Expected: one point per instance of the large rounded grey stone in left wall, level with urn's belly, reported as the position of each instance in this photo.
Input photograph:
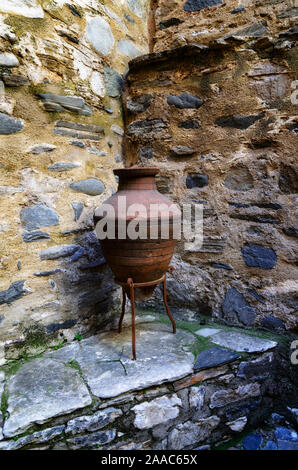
(37, 216)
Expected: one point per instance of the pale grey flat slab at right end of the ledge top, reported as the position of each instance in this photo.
(241, 342)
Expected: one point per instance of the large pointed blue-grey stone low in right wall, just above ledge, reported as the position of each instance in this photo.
(236, 310)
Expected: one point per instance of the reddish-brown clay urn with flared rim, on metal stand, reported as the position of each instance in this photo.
(141, 240)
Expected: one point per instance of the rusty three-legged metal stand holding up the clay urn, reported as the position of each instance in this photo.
(130, 285)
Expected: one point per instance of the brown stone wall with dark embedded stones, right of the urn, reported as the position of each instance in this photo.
(214, 106)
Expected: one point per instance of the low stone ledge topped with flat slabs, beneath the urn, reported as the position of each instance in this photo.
(97, 397)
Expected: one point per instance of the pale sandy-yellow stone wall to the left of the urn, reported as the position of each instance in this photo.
(61, 73)
